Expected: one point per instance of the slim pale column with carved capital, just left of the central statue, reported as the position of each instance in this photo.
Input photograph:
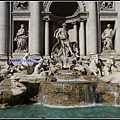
(47, 35)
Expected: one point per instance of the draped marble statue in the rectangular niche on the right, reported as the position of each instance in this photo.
(107, 37)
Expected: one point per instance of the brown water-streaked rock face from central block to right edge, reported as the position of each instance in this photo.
(76, 93)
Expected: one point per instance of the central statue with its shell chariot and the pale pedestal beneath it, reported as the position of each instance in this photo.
(64, 51)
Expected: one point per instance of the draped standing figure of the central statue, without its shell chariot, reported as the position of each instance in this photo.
(63, 38)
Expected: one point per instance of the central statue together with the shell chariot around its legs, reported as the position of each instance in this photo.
(63, 47)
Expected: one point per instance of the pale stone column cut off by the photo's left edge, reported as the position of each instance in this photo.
(3, 27)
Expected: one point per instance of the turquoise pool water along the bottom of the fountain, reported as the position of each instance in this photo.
(44, 111)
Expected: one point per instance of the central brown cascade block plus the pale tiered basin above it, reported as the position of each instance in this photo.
(70, 89)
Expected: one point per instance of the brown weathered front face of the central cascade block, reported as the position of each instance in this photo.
(66, 93)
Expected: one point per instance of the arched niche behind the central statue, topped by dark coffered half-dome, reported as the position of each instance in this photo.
(56, 13)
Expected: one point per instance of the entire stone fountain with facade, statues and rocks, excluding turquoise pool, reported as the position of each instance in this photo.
(71, 71)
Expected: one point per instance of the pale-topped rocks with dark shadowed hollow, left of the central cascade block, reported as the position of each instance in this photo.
(20, 89)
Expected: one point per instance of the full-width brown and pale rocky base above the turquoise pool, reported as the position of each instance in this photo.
(21, 89)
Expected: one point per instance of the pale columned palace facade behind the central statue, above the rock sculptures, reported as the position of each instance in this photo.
(34, 23)
